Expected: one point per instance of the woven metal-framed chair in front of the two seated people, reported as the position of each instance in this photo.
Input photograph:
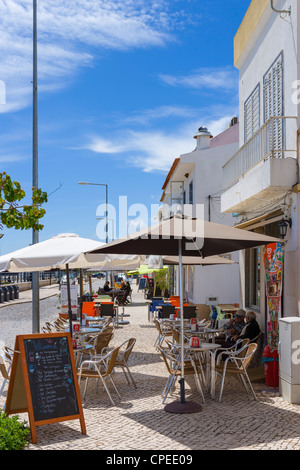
(236, 363)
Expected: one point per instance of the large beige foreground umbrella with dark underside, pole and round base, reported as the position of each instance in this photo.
(183, 236)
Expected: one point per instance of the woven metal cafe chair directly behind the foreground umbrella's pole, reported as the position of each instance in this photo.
(173, 365)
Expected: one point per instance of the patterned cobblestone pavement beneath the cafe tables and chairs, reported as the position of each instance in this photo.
(139, 421)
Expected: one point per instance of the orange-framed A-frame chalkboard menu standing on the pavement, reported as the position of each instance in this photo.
(43, 381)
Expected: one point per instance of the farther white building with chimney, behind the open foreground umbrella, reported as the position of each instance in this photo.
(196, 178)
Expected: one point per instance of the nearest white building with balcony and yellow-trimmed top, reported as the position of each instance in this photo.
(261, 181)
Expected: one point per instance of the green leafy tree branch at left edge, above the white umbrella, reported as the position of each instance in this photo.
(15, 214)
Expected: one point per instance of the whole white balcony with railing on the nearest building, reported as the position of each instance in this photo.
(263, 169)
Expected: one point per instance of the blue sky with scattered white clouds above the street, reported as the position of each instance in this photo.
(123, 87)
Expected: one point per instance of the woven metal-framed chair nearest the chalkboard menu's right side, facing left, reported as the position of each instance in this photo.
(99, 368)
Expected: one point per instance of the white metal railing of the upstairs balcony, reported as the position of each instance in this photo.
(277, 138)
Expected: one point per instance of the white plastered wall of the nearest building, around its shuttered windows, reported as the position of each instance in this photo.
(278, 35)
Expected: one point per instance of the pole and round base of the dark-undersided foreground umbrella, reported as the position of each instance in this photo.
(182, 406)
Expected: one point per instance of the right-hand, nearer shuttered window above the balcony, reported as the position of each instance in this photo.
(273, 102)
